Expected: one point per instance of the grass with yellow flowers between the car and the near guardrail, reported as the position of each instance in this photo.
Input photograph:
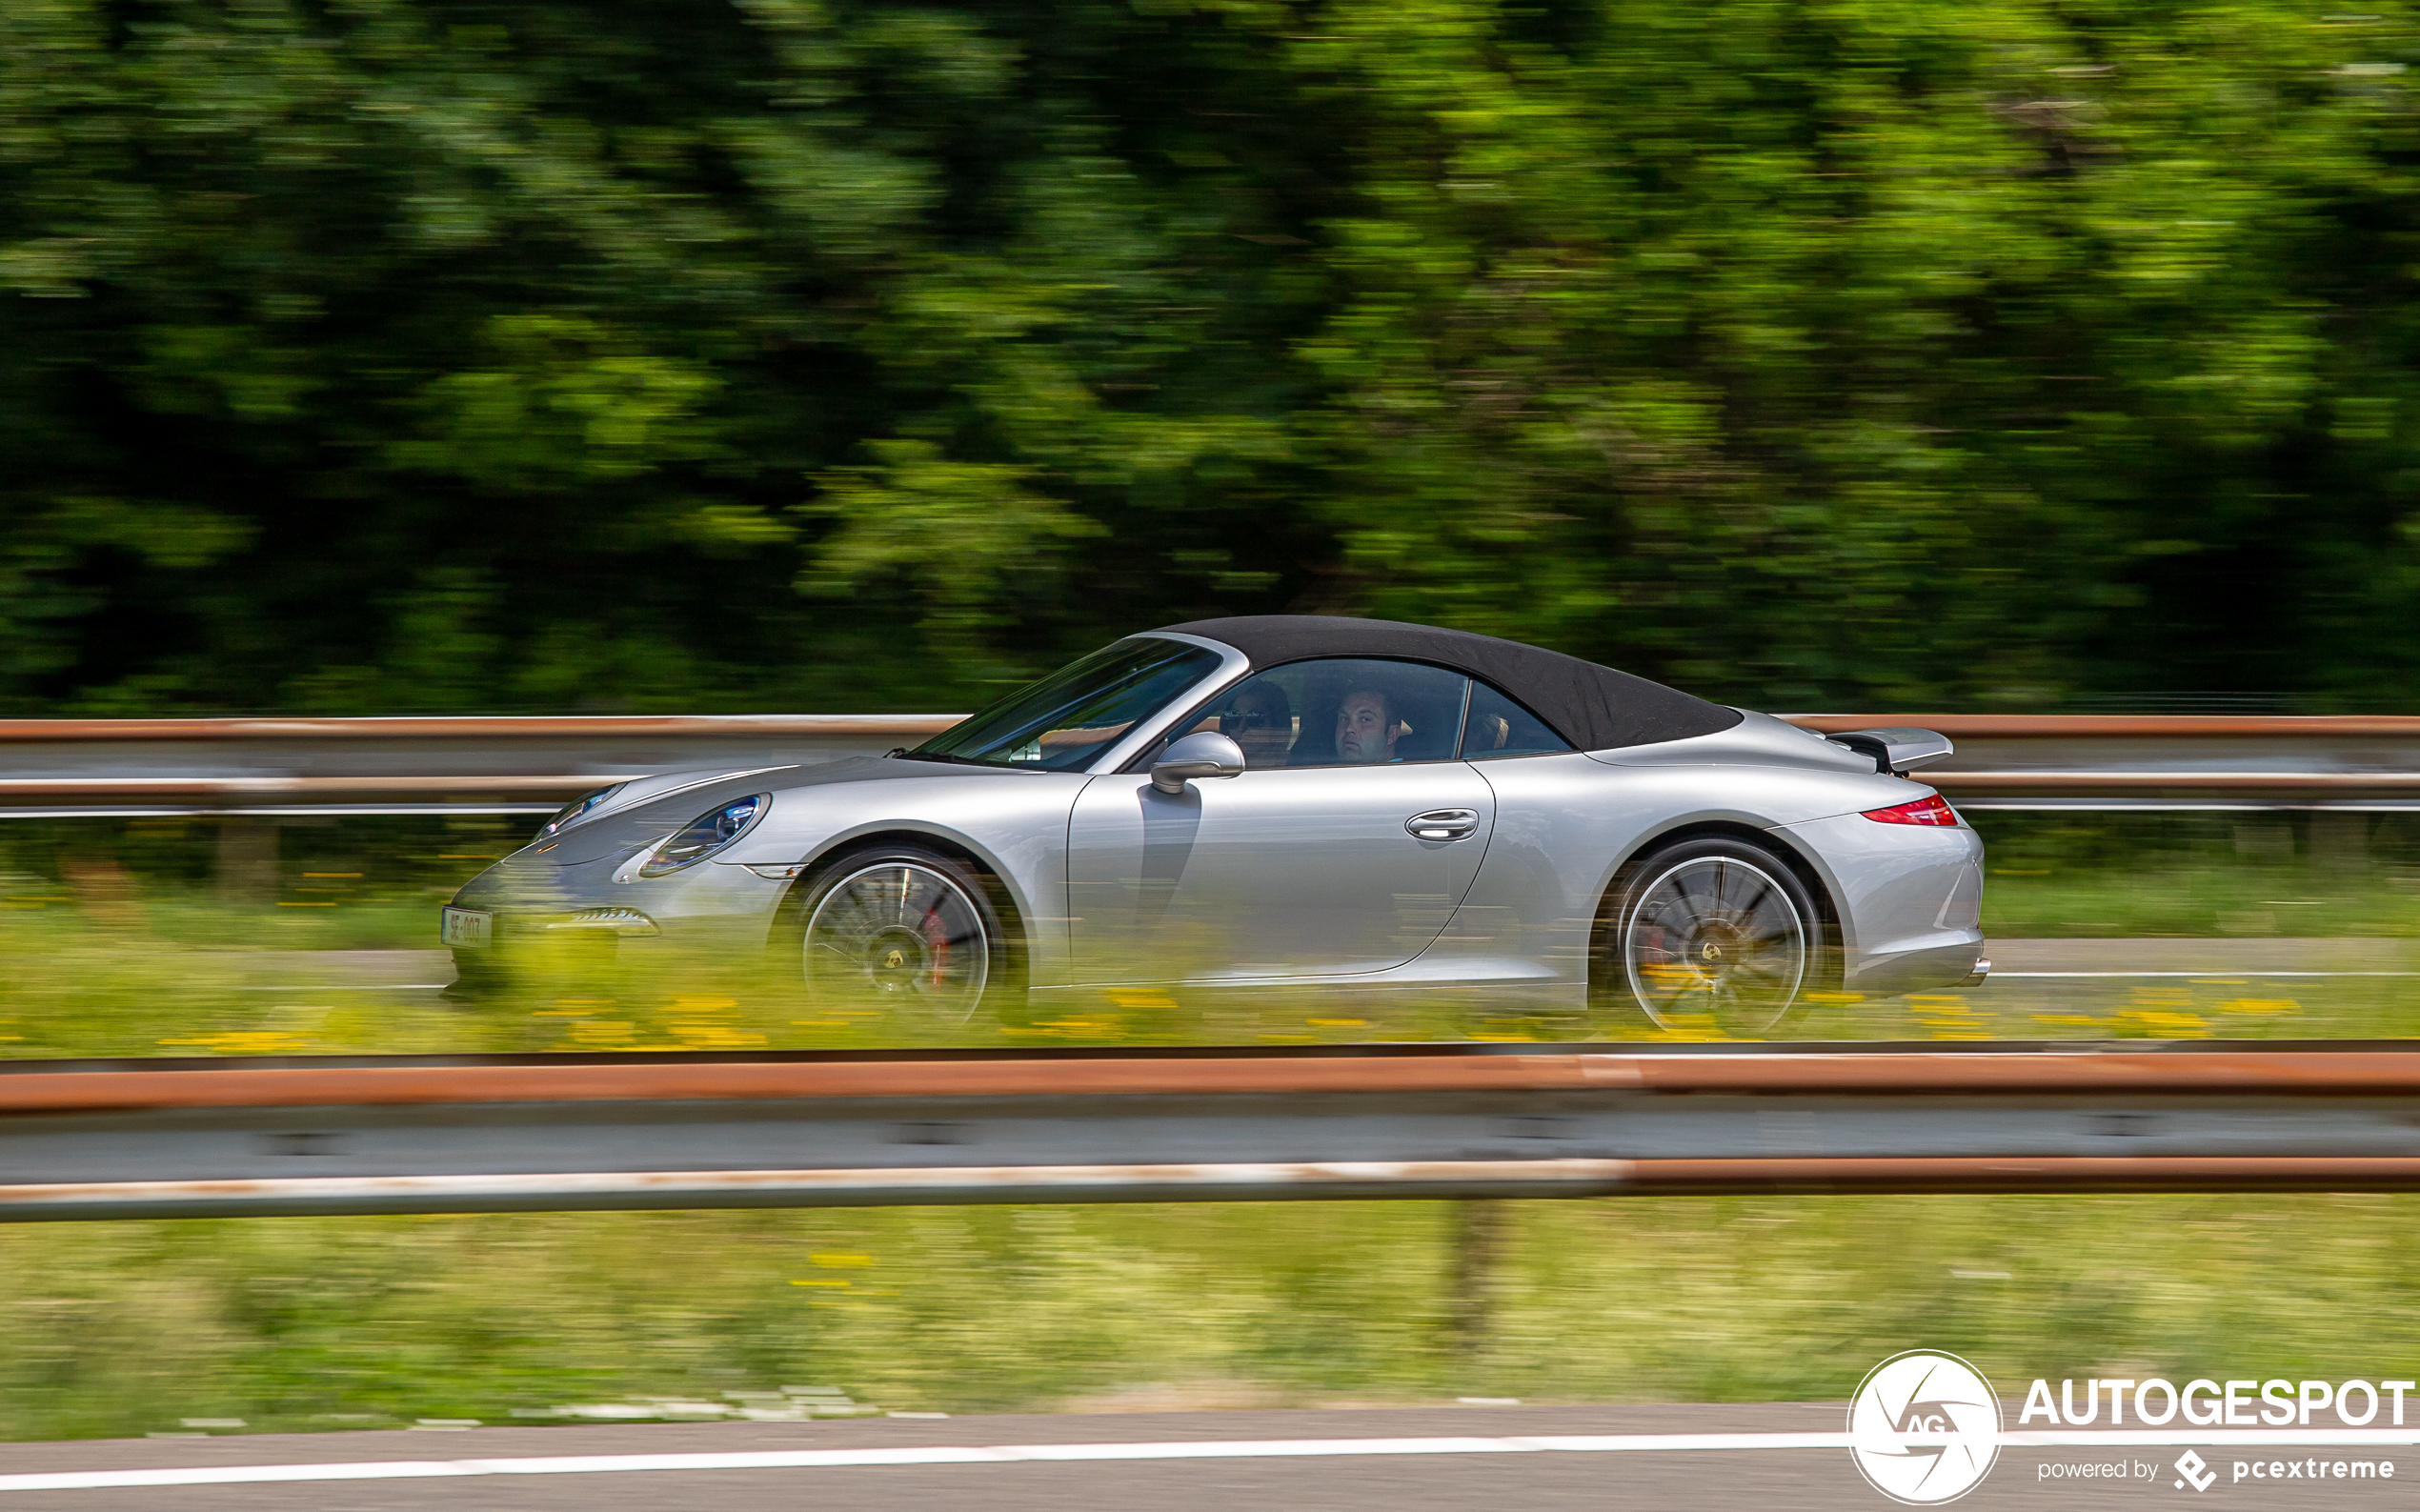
(83, 986)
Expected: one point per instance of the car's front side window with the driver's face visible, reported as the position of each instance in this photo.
(1342, 712)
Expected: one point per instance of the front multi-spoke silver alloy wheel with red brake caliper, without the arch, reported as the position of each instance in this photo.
(899, 935)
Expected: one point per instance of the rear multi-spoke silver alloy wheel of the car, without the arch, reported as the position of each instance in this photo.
(1715, 942)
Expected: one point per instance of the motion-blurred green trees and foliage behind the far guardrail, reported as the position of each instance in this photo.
(371, 357)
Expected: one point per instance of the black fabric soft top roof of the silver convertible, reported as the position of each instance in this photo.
(1589, 705)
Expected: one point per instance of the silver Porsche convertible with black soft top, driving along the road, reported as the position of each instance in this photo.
(1298, 804)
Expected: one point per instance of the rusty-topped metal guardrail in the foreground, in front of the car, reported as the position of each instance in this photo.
(103, 1141)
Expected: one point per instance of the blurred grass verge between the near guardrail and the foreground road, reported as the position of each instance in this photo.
(318, 1325)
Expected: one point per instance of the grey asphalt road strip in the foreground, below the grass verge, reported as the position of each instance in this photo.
(1286, 1462)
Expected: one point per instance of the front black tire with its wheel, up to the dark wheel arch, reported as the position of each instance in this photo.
(909, 930)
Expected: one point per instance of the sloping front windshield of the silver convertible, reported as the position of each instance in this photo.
(1078, 712)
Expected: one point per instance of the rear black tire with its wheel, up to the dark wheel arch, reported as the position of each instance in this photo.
(1710, 935)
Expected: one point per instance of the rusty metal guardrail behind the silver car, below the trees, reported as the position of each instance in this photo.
(270, 768)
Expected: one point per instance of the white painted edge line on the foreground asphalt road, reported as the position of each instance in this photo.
(814, 1460)
